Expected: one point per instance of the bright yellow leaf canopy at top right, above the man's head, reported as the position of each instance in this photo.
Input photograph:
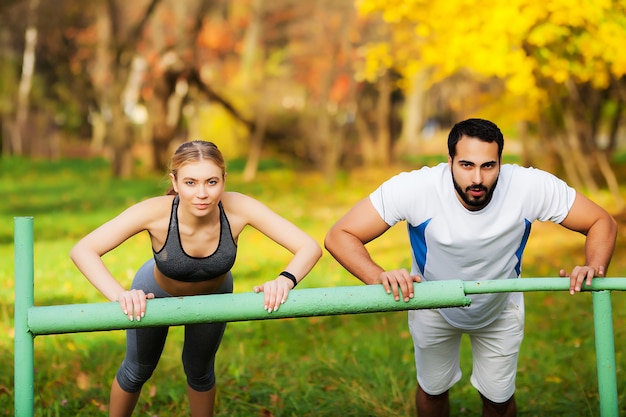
(520, 42)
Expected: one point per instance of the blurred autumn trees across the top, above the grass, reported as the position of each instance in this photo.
(331, 84)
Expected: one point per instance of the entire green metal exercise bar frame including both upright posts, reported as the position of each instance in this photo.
(31, 321)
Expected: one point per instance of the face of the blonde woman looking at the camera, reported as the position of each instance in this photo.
(200, 185)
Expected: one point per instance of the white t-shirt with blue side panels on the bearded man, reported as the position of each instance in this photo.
(450, 242)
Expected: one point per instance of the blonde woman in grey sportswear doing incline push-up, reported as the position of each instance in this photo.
(194, 231)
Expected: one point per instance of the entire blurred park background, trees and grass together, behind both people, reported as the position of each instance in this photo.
(334, 96)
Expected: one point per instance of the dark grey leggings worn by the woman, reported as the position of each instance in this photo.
(145, 345)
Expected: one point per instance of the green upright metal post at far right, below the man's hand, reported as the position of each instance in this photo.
(605, 353)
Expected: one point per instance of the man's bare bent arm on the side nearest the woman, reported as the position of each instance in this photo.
(346, 243)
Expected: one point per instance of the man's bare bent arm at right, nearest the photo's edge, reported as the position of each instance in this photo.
(600, 227)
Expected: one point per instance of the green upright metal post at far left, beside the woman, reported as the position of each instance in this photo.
(24, 345)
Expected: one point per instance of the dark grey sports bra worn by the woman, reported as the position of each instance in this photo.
(174, 263)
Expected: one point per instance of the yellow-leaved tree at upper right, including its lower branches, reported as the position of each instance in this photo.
(560, 64)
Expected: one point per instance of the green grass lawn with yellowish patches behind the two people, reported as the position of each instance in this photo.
(352, 365)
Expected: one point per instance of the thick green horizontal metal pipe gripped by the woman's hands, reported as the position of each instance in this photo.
(240, 307)
